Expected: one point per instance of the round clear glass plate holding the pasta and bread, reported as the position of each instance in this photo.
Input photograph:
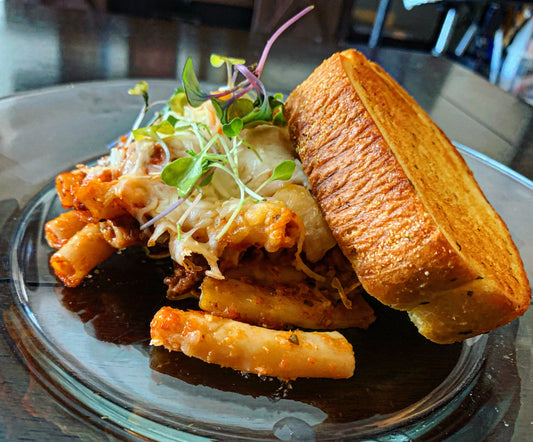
(90, 344)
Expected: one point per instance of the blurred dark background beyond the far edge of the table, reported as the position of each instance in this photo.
(492, 38)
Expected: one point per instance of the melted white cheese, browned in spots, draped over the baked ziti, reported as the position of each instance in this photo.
(195, 225)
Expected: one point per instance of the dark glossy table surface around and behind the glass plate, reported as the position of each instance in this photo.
(42, 47)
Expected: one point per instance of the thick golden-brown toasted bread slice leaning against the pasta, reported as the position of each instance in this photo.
(402, 204)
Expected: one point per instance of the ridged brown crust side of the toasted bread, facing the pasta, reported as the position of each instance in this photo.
(354, 202)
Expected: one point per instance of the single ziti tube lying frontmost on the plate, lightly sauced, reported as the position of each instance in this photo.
(252, 349)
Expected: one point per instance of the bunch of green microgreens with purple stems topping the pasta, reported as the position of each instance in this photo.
(239, 105)
